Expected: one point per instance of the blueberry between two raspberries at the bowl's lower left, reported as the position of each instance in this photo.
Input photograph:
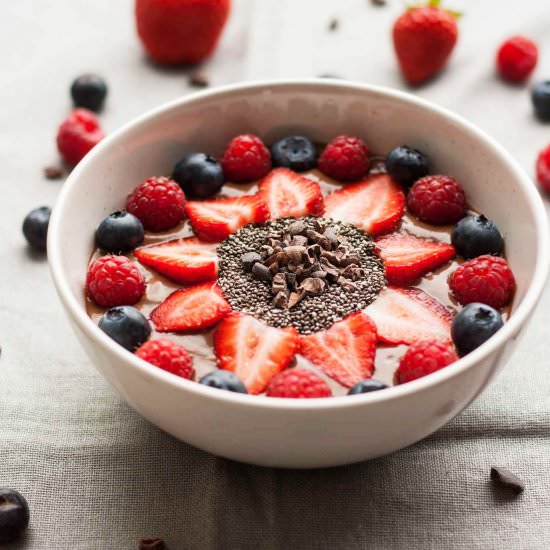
(126, 325)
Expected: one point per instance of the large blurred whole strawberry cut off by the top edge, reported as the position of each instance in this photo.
(180, 31)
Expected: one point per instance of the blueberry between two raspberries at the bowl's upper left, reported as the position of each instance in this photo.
(119, 232)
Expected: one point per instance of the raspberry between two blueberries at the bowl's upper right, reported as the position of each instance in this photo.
(437, 199)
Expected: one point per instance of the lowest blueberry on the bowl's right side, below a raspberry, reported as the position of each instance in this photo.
(472, 326)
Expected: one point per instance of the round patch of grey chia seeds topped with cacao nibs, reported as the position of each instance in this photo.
(253, 281)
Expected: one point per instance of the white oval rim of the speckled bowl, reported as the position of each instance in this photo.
(99, 338)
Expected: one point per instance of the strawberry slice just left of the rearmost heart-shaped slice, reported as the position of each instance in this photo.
(216, 219)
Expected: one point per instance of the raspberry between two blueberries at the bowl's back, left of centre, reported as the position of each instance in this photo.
(246, 158)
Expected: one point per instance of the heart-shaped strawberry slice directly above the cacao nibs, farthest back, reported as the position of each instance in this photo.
(287, 194)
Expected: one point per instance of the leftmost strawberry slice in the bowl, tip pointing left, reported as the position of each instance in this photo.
(184, 261)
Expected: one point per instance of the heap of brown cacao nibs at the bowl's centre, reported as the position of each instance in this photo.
(304, 261)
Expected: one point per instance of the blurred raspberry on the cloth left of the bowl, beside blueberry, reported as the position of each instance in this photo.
(78, 133)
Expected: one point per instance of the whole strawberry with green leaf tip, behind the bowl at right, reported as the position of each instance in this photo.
(423, 38)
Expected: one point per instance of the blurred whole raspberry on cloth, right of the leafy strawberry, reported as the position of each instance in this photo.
(516, 58)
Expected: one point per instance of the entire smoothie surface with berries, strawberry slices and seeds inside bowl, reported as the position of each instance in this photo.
(302, 282)
